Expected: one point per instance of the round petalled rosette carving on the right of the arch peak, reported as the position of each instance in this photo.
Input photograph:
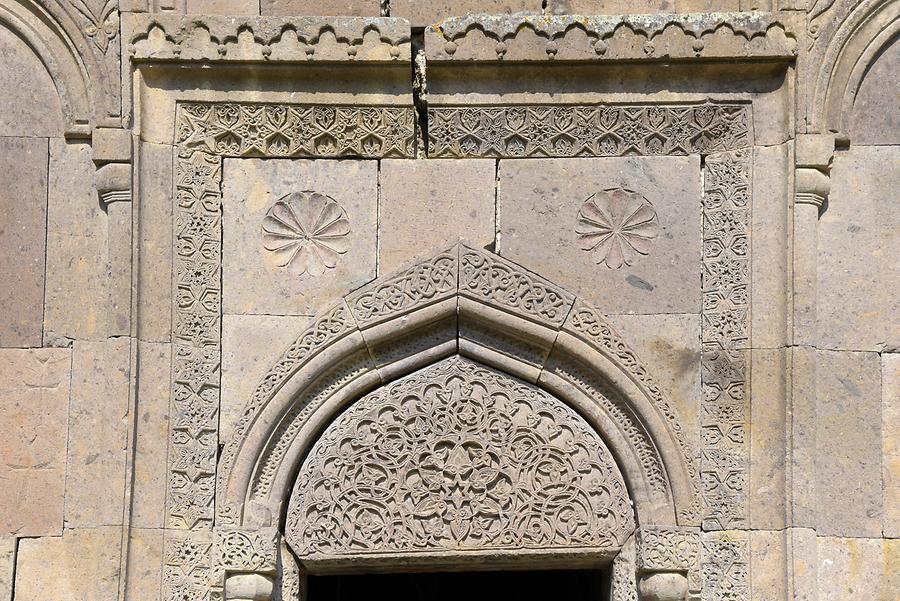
(615, 226)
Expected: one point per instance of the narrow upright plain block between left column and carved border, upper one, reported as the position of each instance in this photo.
(154, 199)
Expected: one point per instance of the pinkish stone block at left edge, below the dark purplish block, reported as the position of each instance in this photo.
(34, 403)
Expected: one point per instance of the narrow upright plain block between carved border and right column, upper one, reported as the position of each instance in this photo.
(770, 264)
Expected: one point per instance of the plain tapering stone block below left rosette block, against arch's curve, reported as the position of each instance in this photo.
(251, 344)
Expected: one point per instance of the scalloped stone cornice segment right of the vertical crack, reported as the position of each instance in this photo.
(590, 38)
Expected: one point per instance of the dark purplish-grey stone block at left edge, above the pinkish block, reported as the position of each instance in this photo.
(23, 239)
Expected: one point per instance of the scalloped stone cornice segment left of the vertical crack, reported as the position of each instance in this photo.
(266, 39)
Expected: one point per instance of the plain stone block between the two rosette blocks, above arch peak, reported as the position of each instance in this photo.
(426, 205)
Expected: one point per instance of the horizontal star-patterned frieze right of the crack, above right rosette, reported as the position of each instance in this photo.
(518, 131)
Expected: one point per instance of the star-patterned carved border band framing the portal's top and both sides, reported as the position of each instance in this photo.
(207, 132)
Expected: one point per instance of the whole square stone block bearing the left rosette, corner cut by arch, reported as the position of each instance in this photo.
(297, 234)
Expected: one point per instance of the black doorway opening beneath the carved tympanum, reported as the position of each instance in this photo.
(549, 585)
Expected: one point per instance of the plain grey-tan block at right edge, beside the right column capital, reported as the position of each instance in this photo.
(857, 266)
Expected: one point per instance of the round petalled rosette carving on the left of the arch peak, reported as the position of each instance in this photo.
(307, 232)
